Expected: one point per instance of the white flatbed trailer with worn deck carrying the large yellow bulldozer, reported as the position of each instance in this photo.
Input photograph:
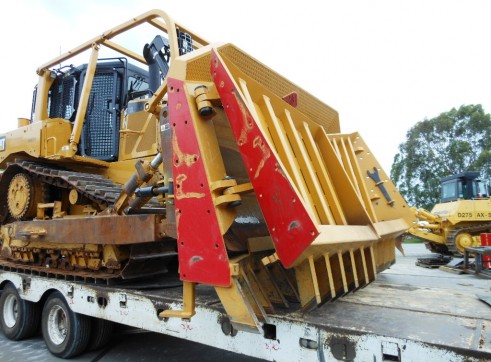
(407, 314)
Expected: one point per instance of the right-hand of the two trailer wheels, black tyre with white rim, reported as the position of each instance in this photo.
(65, 332)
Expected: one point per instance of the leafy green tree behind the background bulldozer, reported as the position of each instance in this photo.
(454, 142)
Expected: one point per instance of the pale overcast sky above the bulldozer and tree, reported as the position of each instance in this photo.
(384, 65)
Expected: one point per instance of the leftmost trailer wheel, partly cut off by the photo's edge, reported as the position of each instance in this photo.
(19, 318)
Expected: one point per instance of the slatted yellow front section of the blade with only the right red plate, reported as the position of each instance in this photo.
(331, 211)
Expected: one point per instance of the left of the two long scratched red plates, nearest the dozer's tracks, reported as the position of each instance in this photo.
(202, 254)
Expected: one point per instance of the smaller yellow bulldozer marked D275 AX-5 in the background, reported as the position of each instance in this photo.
(464, 212)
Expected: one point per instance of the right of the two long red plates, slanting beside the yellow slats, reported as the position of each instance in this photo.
(289, 223)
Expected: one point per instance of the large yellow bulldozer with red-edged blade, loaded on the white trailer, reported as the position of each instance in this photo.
(193, 158)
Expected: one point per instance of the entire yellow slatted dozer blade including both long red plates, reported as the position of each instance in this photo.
(310, 207)
